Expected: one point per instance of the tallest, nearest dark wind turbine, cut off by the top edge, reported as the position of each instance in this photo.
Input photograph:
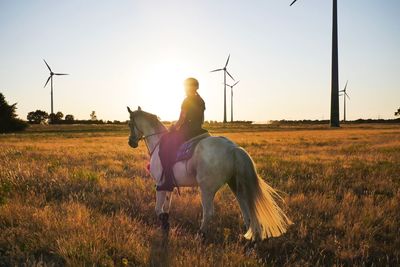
(335, 69)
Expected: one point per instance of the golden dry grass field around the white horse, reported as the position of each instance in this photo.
(79, 195)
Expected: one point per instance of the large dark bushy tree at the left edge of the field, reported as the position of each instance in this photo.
(8, 117)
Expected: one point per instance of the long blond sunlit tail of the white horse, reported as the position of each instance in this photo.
(266, 218)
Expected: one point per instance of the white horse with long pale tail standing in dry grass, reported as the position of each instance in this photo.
(215, 161)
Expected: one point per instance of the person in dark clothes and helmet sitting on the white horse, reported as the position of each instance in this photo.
(188, 126)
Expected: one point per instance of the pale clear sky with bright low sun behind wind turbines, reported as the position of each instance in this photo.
(130, 53)
